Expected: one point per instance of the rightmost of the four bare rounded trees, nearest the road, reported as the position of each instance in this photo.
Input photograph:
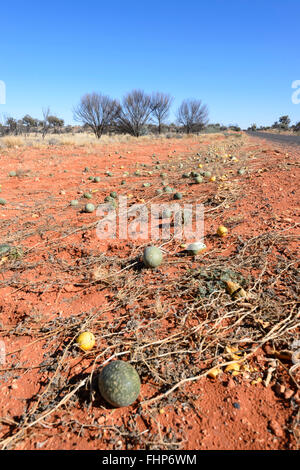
(192, 115)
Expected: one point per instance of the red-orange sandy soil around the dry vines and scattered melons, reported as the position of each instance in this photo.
(42, 291)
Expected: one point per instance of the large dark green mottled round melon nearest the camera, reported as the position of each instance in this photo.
(119, 383)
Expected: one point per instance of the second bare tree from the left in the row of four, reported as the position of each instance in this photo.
(135, 112)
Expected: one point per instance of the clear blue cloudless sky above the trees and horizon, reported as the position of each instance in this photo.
(240, 57)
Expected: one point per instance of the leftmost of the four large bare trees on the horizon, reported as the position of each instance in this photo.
(97, 112)
